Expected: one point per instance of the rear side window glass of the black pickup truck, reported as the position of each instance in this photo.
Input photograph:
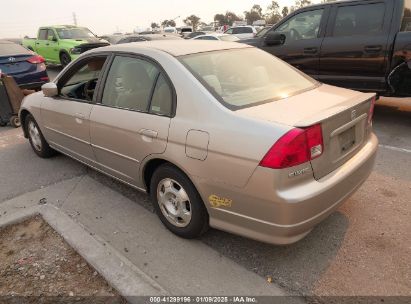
(359, 20)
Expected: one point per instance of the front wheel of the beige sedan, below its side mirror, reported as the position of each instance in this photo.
(36, 138)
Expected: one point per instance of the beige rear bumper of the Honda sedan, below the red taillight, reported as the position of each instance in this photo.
(283, 216)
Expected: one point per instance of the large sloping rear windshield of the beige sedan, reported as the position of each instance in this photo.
(241, 78)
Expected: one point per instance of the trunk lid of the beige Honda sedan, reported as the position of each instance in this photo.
(342, 114)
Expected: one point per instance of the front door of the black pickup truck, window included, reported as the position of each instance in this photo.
(304, 33)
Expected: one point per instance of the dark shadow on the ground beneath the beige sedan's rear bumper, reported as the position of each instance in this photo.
(295, 267)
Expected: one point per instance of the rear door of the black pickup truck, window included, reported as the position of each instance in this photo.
(355, 50)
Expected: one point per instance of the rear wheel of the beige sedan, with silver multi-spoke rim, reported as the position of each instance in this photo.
(184, 215)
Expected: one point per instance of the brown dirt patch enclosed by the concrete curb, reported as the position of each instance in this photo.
(36, 261)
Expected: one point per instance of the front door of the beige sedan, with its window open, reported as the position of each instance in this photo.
(66, 117)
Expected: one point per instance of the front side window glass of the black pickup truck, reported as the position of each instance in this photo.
(302, 26)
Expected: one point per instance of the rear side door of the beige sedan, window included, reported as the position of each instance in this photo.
(132, 117)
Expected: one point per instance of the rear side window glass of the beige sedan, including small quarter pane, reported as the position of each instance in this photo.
(138, 85)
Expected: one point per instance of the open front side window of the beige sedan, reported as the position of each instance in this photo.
(82, 83)
